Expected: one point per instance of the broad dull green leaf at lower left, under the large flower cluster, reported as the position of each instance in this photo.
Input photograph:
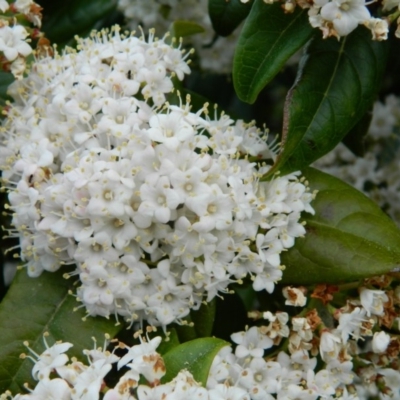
(32, 307)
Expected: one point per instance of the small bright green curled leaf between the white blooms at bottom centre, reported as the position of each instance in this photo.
(196, 356)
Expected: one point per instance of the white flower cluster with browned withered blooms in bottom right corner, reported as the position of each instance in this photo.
(318, 363)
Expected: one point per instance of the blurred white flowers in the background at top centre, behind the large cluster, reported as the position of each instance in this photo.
(214, 56)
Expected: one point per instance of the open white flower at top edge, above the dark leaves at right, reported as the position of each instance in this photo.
(345, 14)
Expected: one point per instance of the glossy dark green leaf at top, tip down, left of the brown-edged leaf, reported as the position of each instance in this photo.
(268, 39)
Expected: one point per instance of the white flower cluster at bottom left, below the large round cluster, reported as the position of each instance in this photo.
(78, 381)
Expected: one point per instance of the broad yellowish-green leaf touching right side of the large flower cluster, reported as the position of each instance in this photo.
(348, 238)
